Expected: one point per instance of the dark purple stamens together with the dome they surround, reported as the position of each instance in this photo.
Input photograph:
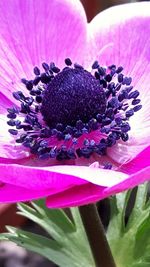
(107, 110)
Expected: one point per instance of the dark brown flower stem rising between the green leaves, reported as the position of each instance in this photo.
(96, 236)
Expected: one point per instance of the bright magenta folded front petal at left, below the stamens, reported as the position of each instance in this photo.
(36, 178)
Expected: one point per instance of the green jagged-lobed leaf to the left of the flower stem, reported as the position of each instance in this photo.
(66, 245)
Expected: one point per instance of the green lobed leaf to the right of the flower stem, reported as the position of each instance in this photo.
(130, 242)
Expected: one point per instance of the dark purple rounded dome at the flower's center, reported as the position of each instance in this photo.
(74, 94)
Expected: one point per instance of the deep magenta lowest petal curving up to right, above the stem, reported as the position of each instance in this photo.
(88, 193)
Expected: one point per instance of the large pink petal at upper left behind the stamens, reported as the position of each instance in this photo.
(32, 32)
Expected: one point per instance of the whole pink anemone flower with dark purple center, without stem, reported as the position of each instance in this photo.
(74, 101)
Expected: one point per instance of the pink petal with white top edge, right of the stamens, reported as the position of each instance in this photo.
(120, 35)
